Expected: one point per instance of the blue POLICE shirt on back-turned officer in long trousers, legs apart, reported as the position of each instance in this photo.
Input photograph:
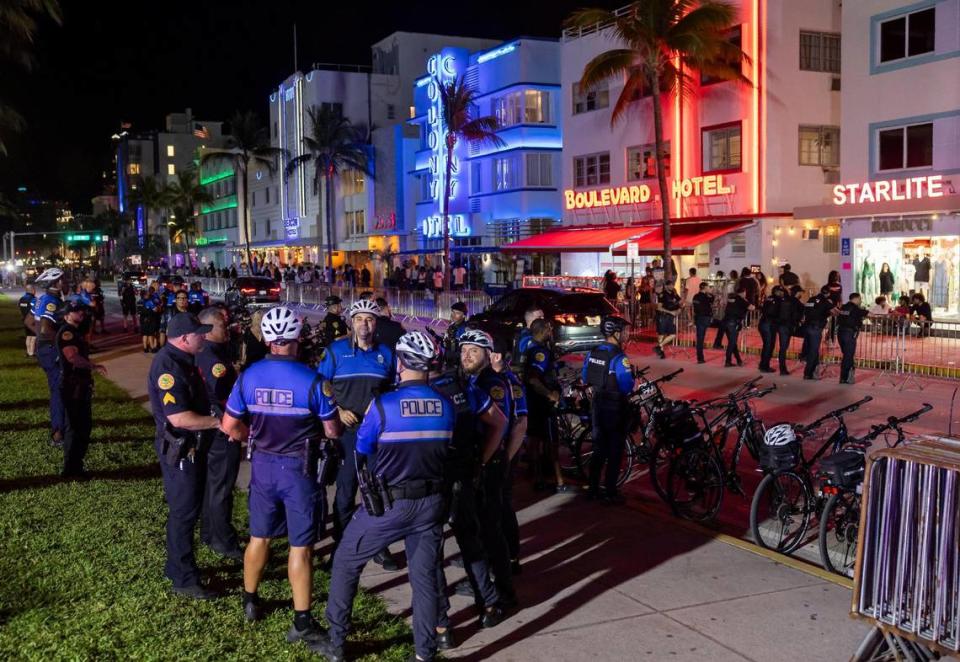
(409, 430)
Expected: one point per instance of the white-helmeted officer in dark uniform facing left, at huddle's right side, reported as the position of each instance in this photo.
(475, 349)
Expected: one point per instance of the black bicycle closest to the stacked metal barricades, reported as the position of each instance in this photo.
(842, 480)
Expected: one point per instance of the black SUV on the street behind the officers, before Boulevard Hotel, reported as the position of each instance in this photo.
(575, 314)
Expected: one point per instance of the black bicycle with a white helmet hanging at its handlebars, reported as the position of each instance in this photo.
(785, 499)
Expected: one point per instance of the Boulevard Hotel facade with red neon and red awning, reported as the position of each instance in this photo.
(742, 155)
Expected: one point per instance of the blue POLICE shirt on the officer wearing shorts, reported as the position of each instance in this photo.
(283, 402)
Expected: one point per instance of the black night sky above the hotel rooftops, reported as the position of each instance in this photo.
(137, 61)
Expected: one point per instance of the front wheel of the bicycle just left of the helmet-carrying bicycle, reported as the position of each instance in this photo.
(695, 484)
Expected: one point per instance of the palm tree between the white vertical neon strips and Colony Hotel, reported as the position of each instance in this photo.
(333, 145)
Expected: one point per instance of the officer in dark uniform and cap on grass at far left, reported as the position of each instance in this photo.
(76, 388)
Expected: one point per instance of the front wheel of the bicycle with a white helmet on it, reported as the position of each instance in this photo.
(780, 512)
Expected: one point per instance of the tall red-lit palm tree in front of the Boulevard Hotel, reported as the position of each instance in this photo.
(655, 36)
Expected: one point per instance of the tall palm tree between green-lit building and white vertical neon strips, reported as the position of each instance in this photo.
(247, 145)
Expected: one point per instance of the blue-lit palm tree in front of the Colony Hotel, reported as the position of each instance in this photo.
(458, 108)
